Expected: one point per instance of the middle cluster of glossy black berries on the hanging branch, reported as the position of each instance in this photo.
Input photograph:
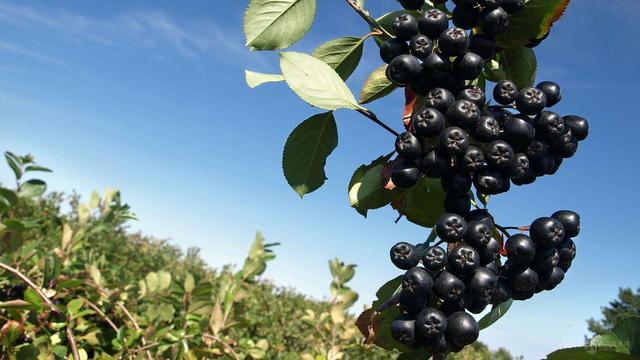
(465, 144)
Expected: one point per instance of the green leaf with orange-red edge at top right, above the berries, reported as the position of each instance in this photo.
(532, 23)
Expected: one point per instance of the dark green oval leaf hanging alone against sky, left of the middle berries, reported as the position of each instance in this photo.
(306, 152)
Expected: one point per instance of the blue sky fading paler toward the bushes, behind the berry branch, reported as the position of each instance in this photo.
(149, 97)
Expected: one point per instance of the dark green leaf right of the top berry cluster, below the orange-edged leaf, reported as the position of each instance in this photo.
(518, 64)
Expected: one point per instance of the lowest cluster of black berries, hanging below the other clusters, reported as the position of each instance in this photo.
(436, 296)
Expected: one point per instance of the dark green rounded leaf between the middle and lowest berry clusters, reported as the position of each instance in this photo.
(422, 204)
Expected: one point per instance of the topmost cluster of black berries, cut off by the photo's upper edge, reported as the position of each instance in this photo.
(425, 53)
